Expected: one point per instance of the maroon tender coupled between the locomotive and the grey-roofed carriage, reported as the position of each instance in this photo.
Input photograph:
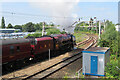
(41, 46)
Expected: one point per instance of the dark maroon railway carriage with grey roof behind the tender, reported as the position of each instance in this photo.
(15, 50)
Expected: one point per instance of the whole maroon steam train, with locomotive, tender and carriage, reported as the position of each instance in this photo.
(17, 52)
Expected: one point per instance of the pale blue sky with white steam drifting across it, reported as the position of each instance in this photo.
(18, 13)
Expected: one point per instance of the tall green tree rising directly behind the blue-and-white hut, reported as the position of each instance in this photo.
(109, 38)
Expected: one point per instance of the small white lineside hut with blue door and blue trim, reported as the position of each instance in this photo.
(94, 60)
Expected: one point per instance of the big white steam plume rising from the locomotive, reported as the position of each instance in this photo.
(60, 10)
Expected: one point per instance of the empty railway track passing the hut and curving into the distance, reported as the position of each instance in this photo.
(42, 74)
